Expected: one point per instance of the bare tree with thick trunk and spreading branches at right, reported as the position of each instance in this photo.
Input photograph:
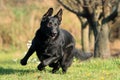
(98, 14)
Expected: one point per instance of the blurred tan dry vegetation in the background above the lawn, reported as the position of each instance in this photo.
(19, 20)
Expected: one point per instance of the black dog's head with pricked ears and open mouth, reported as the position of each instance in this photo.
(50, 24)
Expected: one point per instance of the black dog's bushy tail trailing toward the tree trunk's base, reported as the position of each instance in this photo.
(82, 55)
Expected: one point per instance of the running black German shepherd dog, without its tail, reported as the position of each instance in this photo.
(54, 47)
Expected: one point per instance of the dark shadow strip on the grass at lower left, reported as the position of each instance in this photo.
(7, 71)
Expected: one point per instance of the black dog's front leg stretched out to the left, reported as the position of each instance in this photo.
(29, 53)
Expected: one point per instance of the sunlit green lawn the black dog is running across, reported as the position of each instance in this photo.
(93, 69)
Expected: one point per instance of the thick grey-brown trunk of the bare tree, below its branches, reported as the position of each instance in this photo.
(102, 42)
